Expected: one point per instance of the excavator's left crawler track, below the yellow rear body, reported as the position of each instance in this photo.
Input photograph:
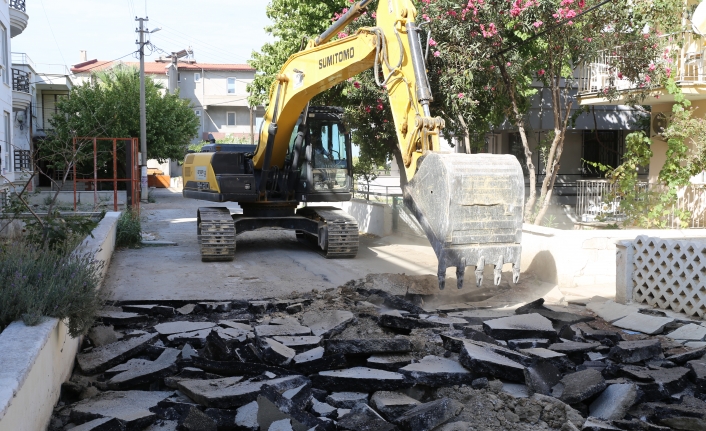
(216, 233)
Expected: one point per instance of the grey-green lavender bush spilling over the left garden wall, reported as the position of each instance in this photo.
(37, 282)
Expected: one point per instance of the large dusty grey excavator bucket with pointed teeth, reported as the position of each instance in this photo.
(470, 207)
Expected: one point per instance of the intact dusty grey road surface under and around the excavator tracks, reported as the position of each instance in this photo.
(268, 263)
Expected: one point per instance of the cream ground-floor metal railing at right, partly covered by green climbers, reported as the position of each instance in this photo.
(596, 201)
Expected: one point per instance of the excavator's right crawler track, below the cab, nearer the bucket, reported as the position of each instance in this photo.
(340, 237)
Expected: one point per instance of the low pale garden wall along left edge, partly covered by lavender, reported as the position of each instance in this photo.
(36, 360)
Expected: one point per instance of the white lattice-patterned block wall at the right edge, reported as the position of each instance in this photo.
(667, 273)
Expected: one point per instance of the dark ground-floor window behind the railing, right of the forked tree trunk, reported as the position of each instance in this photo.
(602, 146)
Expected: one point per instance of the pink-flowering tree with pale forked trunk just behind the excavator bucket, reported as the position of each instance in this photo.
(500, 53)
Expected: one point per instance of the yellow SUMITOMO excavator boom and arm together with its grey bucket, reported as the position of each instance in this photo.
(470, 206)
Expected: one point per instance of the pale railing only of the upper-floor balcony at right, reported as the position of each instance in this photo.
(599, 74)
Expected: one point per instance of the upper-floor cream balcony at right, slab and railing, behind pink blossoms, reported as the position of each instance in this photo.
(689, 70)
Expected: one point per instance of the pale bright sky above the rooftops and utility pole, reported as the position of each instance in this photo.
(219, 31)
